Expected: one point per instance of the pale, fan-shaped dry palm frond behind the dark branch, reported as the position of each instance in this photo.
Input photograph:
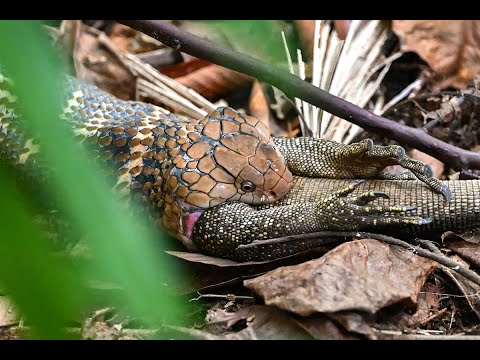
(351, 69)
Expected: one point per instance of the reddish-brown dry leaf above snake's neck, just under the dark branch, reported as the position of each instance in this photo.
(214, 81)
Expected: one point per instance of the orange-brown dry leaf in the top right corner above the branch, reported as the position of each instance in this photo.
(450, 47)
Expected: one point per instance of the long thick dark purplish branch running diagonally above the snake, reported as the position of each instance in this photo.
(172, 36)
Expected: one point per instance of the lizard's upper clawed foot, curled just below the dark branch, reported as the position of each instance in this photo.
(368, 160)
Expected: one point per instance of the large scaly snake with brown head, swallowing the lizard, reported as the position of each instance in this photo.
(181, 166)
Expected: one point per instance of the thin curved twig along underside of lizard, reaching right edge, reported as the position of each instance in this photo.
(325, 237)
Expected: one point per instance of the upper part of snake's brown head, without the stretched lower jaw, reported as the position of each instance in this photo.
(241, 164)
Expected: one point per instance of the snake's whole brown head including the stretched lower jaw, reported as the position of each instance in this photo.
(228, 157)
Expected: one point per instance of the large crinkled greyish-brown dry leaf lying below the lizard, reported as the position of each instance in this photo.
(363, 275)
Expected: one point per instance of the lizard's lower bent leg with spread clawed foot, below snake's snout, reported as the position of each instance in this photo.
(220, 230)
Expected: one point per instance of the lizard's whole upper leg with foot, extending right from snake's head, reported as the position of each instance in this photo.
(323, 158)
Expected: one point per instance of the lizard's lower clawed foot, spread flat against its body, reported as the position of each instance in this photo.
(354, 212)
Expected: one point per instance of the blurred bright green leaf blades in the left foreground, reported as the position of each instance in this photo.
(49, 291)
